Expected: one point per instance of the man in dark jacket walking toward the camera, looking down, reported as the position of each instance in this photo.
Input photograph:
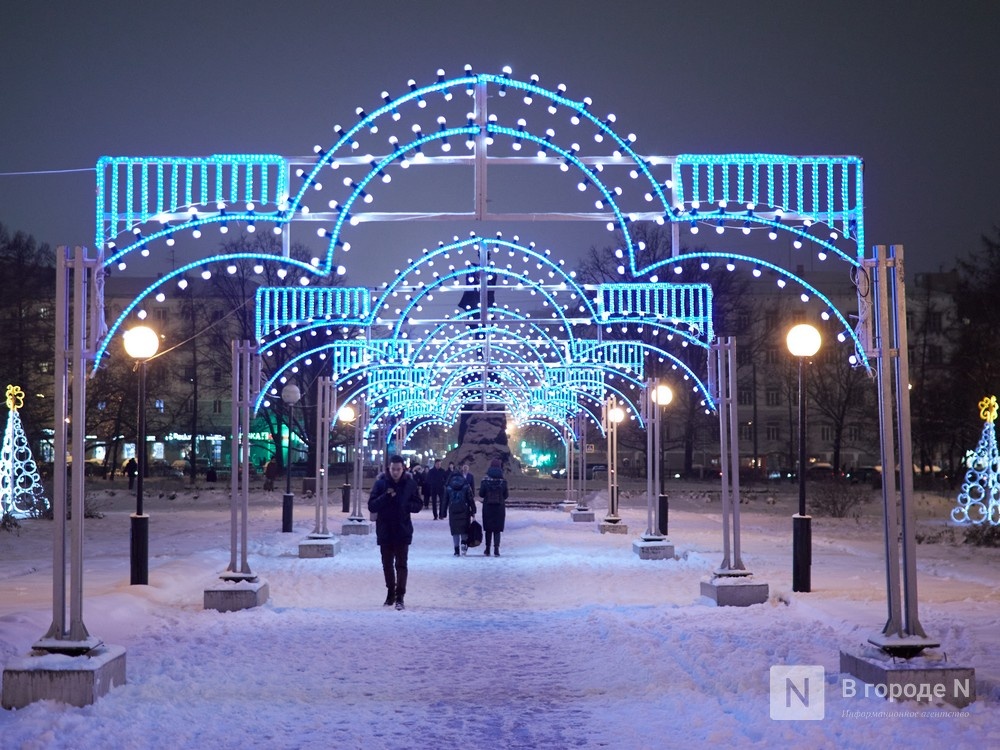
(393, 498)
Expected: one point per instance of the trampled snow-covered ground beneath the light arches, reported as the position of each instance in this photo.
(567, 640)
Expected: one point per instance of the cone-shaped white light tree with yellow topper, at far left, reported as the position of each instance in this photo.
(21, 493)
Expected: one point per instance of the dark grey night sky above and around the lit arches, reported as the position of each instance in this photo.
(912, 88)
